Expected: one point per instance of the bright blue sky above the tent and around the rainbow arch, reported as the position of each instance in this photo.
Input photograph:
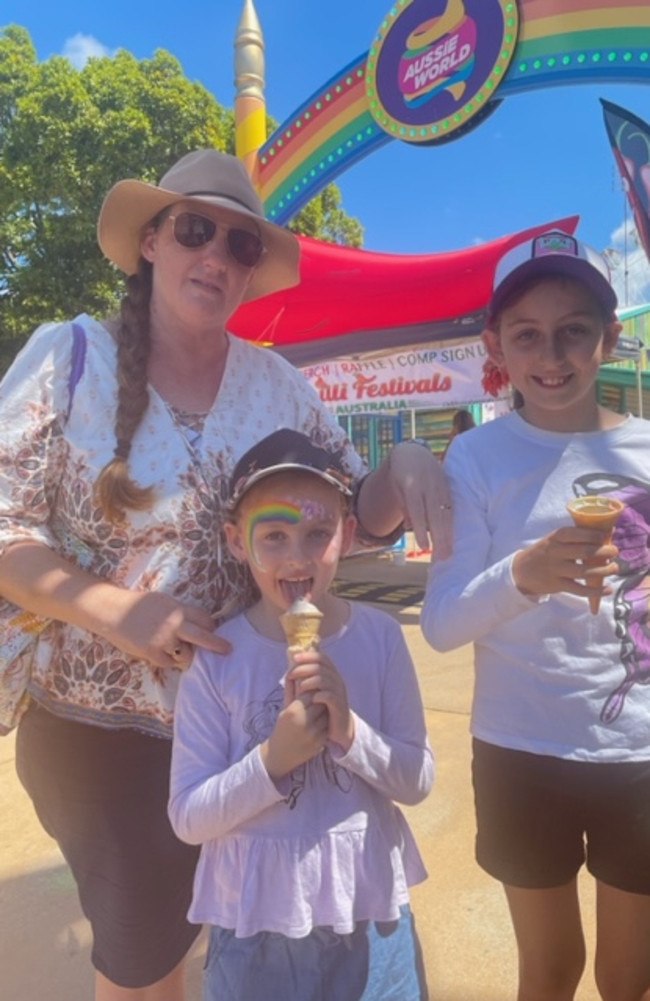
(539, 158)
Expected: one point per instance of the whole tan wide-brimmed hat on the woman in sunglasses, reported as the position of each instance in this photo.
(208, 178)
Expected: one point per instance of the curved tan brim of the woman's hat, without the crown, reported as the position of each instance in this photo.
(131, 206)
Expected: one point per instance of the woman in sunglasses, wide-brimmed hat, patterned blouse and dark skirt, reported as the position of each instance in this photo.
(112, 531)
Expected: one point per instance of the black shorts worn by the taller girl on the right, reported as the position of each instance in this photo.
(539, 818)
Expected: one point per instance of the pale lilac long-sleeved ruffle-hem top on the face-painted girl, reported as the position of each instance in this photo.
(328, 846)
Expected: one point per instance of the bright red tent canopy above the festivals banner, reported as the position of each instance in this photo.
(354, 302)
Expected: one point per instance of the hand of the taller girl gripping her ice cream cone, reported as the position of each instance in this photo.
(559, 562)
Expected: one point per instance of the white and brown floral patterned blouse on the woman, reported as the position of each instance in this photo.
(50, 464)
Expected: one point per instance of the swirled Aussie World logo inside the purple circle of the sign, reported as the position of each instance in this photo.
(440, 56)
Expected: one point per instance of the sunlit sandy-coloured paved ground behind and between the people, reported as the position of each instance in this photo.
(461, 913)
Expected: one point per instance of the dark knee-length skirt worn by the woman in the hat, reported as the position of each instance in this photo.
(103, 795)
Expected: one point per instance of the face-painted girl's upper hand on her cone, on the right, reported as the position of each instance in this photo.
(315, 675)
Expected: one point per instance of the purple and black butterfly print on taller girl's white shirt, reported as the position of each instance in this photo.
(632, 596)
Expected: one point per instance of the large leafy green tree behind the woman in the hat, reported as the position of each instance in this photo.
(67, 137)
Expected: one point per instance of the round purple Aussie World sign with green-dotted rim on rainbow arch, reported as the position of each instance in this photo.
(435, 65)
